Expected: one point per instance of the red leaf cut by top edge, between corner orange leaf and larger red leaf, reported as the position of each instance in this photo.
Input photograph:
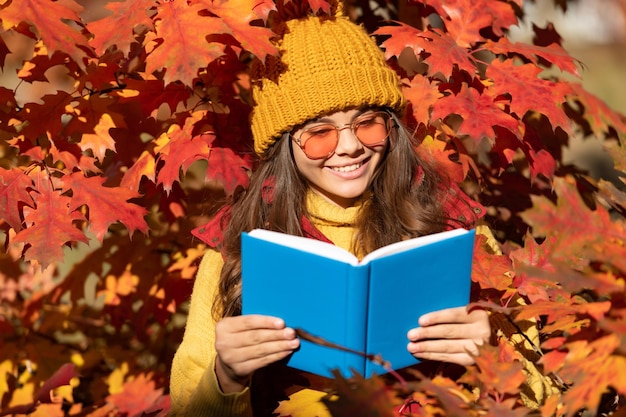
(117, 28)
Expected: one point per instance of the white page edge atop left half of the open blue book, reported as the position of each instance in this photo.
(304, 244)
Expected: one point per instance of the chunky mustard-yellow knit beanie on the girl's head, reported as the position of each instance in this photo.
(328, 64)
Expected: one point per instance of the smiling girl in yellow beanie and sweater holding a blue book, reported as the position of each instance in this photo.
(336, 165)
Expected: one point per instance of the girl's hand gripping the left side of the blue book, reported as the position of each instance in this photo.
(247, 343)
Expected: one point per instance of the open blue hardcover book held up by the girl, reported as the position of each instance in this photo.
(366, 306)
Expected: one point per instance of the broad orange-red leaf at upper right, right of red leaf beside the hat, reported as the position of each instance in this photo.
(531, 93)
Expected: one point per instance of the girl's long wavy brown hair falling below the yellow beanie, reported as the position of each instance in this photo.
(404, 201)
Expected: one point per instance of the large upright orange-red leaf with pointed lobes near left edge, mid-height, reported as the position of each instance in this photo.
(49, 225)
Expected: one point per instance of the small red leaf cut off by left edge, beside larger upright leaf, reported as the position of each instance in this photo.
(14, 185)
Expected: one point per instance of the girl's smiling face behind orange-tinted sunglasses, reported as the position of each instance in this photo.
(341, 175)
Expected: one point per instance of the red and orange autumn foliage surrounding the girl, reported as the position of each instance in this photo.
(114, 145)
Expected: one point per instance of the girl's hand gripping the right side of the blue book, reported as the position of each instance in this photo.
(452, 335)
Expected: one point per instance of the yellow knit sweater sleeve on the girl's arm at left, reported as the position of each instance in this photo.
(194, 388)
